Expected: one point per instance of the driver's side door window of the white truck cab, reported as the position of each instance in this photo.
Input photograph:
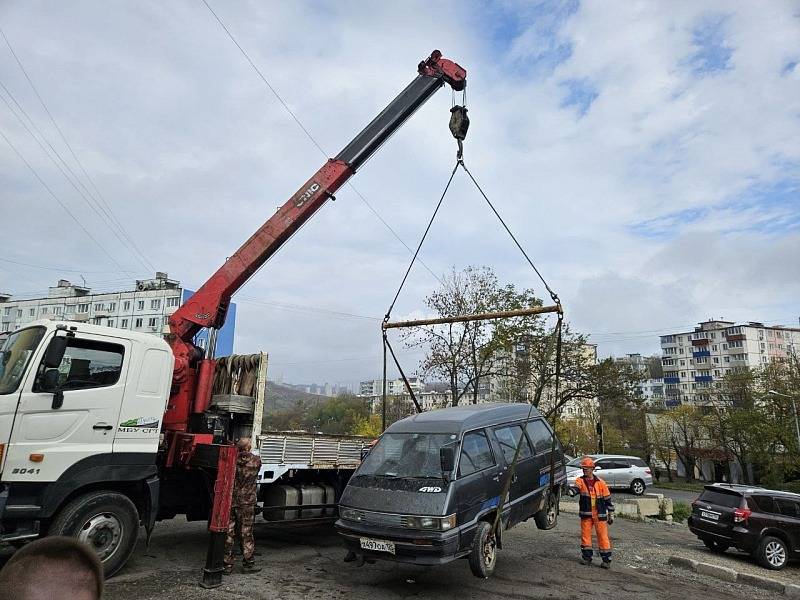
(89, 364)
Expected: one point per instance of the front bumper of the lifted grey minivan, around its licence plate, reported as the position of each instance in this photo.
(415, 547)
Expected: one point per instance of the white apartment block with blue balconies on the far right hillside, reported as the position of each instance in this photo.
(696, 361)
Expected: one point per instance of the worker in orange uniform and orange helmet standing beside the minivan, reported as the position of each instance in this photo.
(596, 510)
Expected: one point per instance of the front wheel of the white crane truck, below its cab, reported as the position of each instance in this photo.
(107, 521)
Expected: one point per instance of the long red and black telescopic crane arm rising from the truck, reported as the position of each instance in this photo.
(207, 308)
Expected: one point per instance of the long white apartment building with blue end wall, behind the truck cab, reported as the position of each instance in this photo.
(144, 308)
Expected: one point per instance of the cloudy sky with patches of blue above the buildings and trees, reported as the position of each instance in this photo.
(646, 154)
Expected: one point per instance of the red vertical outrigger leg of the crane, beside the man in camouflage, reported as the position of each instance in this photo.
(220, 517)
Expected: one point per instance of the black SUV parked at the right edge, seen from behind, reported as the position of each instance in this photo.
(764, 523)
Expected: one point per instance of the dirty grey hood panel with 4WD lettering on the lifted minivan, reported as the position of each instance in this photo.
(402, 496)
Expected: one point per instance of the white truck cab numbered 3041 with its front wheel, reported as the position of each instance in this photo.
(80, 416)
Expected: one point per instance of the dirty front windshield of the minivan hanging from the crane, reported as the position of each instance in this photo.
(409, 455)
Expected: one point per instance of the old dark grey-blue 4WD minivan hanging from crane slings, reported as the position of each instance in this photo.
(429, 491)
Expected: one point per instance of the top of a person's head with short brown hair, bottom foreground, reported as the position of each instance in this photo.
(52, 568)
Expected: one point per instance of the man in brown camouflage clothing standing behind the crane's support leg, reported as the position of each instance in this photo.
(240, 526)
